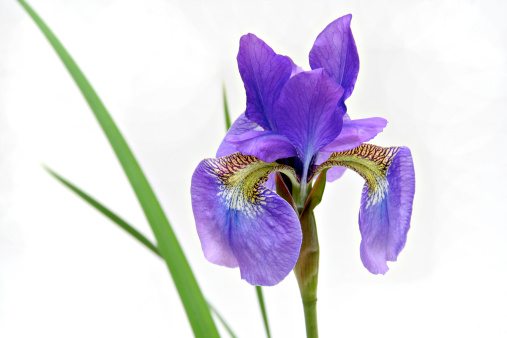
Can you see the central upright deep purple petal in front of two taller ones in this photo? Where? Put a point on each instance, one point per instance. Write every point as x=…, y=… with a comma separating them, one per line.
x=306, y=112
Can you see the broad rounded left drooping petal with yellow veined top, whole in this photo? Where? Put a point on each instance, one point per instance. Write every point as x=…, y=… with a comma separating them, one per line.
x=242, y=223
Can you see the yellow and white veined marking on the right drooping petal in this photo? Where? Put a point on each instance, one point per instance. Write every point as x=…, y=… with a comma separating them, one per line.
x=371, y=162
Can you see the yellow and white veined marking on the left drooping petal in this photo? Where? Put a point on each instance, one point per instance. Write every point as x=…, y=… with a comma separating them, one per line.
x=240, y=179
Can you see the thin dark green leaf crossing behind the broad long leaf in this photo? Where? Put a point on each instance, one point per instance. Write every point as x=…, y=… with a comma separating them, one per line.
x=129, y=229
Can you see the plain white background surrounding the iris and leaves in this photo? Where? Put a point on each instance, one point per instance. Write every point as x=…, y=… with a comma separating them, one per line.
x=437, y=71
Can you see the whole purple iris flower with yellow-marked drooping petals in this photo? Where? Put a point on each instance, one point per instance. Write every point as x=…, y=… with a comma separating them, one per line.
x=295, y=125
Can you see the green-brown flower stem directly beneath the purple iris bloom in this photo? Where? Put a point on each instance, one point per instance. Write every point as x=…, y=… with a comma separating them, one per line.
x=307, y=270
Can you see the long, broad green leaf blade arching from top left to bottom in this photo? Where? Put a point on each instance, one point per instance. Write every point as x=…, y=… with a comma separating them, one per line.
x=191, y=296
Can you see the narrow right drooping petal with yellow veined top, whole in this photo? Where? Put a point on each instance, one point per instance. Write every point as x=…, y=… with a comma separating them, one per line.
x=386, y=203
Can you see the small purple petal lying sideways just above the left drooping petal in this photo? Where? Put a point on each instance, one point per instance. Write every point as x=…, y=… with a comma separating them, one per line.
x=266, y=145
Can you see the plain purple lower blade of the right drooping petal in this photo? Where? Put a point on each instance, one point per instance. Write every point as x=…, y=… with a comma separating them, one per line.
x=385, y=220
